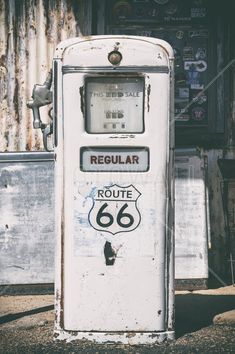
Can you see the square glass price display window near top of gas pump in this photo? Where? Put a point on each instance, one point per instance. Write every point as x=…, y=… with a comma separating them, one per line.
x=114, y=105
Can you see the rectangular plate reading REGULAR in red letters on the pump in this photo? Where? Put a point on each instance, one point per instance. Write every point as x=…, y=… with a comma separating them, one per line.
x=114, y=159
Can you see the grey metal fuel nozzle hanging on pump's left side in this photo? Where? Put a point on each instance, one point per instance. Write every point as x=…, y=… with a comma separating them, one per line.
x=41, y=96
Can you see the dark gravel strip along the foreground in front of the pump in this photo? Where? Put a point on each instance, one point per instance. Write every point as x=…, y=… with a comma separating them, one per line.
x=212, y=339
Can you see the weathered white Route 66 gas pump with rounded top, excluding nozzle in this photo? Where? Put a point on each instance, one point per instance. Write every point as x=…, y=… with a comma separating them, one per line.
x=113, y=133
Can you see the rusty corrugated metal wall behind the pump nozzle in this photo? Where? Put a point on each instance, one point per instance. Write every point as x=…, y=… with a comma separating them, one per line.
x=29, y=33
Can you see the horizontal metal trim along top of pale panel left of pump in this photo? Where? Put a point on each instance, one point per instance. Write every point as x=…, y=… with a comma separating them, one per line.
x=26, y=156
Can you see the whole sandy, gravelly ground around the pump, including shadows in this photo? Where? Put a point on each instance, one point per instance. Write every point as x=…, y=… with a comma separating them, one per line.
x=205, y=323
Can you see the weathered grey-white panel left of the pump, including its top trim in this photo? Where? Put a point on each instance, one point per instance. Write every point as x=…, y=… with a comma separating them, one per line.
x=27, y=239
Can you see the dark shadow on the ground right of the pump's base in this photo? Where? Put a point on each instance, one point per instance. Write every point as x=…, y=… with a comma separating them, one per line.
x=194, y=311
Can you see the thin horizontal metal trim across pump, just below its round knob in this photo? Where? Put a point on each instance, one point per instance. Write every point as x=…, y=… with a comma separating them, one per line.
x=126, y=69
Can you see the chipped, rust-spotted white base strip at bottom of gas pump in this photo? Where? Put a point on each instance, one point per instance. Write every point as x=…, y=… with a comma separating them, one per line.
x=130, y=338
